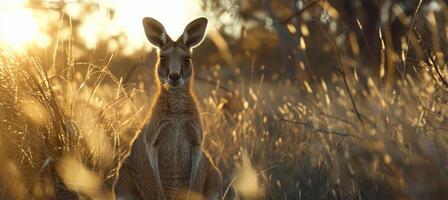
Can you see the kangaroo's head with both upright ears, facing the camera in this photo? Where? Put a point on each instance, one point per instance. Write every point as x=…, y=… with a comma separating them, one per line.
x=174, y=67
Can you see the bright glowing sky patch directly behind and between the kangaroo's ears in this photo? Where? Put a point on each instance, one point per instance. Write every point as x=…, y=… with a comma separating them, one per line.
x=127, y=18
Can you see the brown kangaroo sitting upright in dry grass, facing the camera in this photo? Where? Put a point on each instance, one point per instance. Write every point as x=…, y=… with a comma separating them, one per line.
x=166, y=160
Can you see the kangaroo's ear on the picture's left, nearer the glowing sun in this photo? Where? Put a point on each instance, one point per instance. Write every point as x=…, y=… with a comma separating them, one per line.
x=155, y=32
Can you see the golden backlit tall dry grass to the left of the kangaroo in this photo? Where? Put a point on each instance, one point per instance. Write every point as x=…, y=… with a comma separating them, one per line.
x=62, y=135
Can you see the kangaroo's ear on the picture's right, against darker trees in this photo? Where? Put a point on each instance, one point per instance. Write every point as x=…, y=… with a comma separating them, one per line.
x=194, y=32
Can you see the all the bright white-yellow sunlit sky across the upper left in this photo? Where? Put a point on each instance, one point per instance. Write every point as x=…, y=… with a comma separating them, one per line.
x=22, y=26
